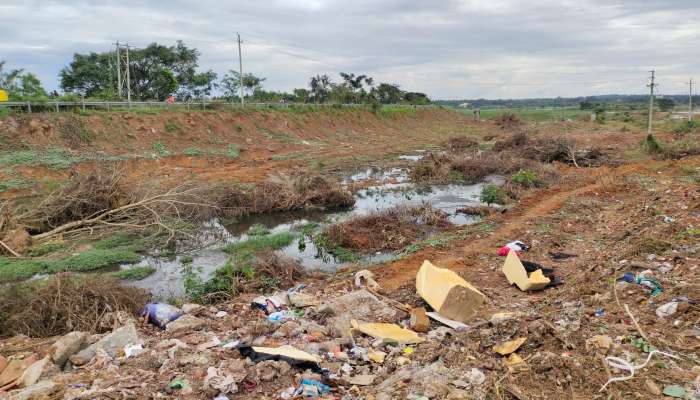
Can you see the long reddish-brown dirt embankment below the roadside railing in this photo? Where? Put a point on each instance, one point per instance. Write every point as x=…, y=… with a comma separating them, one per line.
x=241, y=146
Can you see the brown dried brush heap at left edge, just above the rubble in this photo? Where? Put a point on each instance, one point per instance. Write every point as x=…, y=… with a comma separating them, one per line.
x=64, y=303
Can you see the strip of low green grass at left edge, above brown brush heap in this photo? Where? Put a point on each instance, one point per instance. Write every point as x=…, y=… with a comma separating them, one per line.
x=107, y=252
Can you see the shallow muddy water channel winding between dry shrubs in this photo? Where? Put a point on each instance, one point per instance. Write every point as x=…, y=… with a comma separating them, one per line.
x=391, y=189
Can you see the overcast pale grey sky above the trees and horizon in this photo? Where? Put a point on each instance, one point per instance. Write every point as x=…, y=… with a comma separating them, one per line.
x=448, y=49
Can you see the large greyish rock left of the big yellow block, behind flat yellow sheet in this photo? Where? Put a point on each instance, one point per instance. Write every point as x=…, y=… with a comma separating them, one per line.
x=360, y=305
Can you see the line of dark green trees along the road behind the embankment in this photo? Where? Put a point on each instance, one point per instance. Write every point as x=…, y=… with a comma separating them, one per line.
x=158, y=72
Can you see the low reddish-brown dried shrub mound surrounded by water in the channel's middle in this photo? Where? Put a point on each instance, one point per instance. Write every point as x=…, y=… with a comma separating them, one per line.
x=392, y=229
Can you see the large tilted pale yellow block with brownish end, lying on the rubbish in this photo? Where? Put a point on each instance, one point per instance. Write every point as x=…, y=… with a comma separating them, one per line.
x=447, y=293
